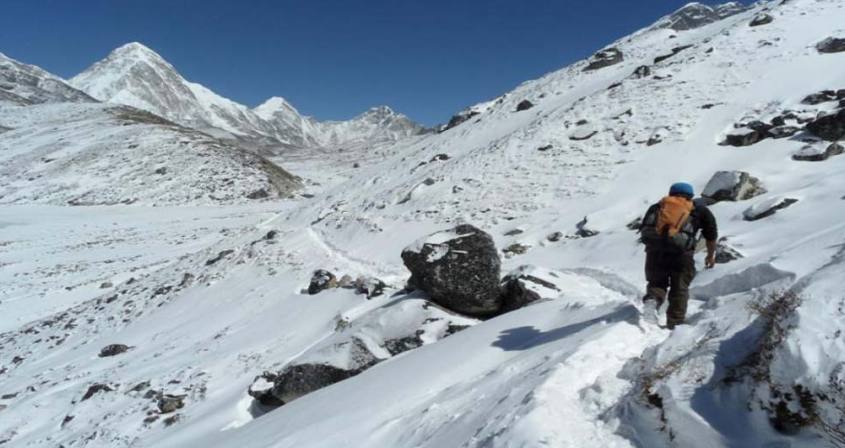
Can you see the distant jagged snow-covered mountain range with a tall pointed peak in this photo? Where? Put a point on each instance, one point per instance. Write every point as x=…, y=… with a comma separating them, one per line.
x=137, y=76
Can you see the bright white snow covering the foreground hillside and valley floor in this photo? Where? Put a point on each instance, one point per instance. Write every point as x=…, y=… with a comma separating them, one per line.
x=576, y=369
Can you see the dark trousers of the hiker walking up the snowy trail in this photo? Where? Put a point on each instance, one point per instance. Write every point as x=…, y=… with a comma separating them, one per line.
x=672, y=272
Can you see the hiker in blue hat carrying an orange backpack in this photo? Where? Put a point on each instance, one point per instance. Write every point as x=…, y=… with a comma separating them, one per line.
x=669, y=231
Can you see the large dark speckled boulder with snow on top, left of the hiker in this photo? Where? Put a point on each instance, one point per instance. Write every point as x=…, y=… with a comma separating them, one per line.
x=458, y=268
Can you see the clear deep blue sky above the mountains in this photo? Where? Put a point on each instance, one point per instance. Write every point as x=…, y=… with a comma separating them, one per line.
x=332, y=58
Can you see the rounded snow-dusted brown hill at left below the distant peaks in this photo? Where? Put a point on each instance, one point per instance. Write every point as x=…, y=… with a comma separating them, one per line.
x=84, y=154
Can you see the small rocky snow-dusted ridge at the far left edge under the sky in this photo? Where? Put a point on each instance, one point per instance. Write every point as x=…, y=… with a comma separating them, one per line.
x=27, y=84
